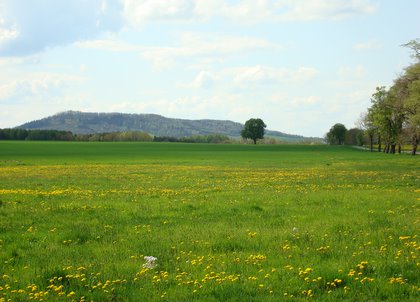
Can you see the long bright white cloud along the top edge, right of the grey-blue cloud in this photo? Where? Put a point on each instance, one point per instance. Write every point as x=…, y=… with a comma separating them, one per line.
x=247, y=11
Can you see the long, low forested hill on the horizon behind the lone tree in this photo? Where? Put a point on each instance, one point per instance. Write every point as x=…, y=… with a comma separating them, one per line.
x=157, y=125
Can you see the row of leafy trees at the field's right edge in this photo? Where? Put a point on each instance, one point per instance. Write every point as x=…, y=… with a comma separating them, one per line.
x=393, y=119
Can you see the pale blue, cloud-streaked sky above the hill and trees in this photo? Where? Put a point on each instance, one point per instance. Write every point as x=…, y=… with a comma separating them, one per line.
x=300, y=65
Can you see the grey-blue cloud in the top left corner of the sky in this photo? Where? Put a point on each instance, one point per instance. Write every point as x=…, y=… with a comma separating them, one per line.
x=31, y=26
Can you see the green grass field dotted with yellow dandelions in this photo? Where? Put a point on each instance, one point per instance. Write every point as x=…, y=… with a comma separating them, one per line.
x=225, y=222
